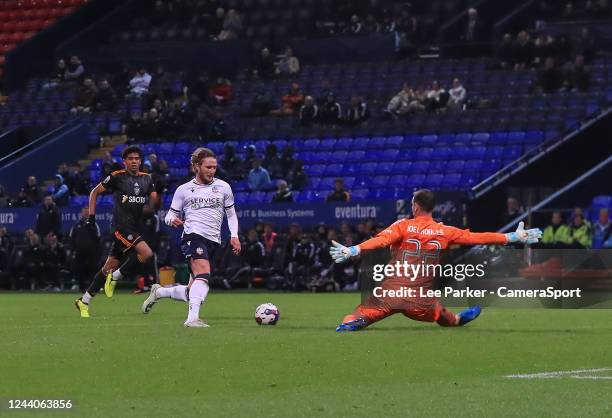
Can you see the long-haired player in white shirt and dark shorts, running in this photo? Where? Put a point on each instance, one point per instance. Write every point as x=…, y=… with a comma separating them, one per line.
x=203, y=201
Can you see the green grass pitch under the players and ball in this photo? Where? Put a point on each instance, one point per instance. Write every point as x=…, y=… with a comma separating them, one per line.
x=123, y=363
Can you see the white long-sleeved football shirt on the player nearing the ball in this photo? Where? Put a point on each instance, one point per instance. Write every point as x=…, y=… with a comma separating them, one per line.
x=203, y=206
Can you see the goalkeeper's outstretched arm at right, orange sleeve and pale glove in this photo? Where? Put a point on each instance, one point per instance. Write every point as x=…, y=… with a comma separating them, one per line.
x=466, y=237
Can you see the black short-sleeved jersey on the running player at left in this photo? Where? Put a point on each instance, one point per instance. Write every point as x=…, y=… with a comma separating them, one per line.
x=130, y=194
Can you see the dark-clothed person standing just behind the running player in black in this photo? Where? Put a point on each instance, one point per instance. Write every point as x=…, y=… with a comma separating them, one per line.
x=85, y=241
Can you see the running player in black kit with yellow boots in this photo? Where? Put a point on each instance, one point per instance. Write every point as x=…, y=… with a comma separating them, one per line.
x=131, y=189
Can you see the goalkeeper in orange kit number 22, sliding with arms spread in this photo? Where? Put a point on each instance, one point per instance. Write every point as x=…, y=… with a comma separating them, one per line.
x=415, y=241
